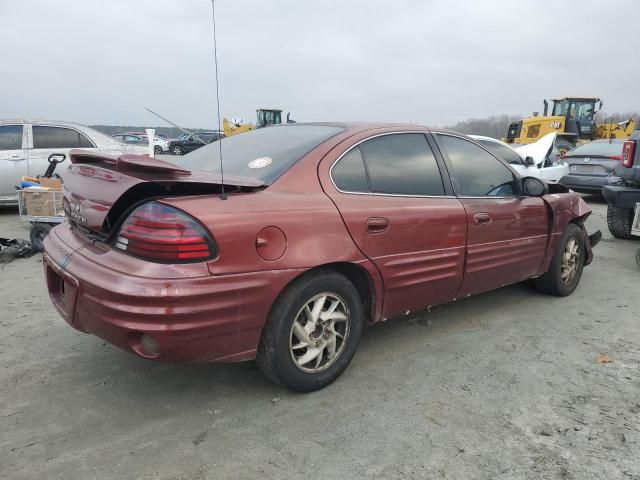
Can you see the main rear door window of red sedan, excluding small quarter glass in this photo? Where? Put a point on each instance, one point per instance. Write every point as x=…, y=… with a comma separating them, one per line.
x=402, y=164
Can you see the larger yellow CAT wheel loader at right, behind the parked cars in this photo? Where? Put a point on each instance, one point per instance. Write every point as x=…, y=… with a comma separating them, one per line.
x=573, y=119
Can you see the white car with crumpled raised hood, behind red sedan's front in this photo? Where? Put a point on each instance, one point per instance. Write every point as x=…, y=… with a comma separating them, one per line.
x=531, y=160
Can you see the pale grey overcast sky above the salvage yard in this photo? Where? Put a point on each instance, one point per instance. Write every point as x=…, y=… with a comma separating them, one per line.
x=431, y=62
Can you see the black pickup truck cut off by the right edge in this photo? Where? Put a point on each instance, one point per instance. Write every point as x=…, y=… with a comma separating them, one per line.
x=622, y=197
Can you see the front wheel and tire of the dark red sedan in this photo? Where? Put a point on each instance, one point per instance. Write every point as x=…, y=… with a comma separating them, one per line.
x=566, y=266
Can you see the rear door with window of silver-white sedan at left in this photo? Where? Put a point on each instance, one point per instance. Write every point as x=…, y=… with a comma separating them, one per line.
x=49, y=139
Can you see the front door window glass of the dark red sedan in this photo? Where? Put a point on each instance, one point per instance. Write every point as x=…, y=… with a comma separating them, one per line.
x=475, y=172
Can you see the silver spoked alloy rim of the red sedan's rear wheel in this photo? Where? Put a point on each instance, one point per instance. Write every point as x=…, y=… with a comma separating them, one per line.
x=319, y=333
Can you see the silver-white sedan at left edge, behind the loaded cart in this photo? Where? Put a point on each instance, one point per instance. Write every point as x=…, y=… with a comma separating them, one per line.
x=25, y=147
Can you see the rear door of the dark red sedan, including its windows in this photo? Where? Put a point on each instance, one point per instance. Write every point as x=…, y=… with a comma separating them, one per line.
x=402, y=215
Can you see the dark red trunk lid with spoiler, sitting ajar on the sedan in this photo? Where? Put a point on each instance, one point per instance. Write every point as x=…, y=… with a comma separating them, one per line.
x=98, y=189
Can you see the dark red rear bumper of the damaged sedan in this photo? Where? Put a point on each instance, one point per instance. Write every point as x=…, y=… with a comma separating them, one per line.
x=192, y=318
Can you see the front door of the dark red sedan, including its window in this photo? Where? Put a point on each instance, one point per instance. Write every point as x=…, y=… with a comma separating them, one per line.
x=507, y=231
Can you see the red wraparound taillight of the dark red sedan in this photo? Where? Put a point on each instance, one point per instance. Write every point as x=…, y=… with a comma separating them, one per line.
x=161, y=233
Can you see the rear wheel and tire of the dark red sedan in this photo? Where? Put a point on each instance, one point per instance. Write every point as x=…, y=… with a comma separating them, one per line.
x=312, y=332
